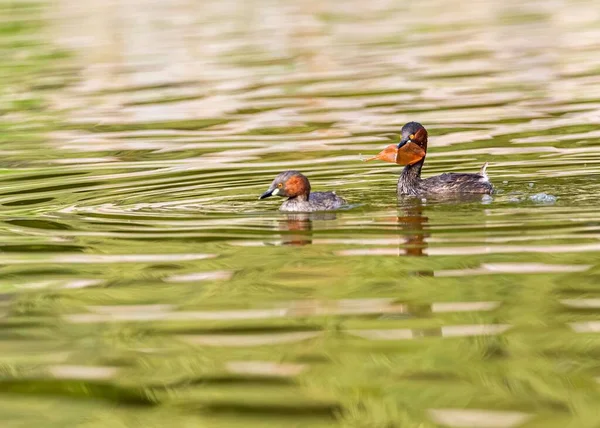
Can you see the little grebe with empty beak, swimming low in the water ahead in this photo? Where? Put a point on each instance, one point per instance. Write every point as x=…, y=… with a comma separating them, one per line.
x=296, y=188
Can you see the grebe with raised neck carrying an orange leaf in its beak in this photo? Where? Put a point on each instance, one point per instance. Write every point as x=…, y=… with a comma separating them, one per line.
x=411, y=151
